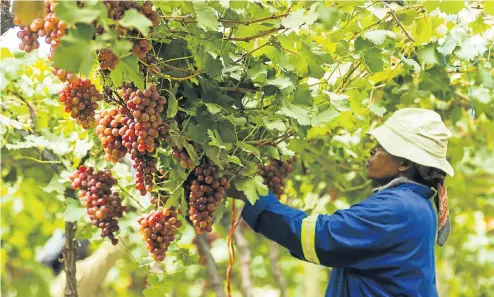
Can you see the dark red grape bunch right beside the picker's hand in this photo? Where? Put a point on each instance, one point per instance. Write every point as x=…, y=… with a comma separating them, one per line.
x=206, y=190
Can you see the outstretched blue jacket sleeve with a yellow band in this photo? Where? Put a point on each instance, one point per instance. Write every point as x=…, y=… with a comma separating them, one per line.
x=343, y=239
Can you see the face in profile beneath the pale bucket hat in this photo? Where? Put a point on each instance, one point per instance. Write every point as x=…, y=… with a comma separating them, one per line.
x=382, y=166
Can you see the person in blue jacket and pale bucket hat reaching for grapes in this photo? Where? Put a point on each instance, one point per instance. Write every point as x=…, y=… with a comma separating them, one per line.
x=384, y=245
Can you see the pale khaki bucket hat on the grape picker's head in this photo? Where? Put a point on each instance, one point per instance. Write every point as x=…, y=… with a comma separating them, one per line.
x=418, y=135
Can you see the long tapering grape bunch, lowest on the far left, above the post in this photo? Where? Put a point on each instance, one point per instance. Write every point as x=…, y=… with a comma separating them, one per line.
x=103, y=206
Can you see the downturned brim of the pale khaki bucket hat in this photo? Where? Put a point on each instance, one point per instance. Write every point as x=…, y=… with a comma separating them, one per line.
x=398, y=146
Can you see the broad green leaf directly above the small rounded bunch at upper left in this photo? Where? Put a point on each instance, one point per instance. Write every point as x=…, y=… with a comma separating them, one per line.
x=75, y=52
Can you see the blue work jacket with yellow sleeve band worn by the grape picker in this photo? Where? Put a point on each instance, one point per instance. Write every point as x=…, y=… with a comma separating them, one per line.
x=382, y=246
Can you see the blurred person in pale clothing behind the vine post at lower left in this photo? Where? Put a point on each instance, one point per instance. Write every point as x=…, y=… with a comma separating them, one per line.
x=91, y=270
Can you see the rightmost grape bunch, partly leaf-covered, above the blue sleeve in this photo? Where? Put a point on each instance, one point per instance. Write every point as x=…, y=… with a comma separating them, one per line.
x=274, y=174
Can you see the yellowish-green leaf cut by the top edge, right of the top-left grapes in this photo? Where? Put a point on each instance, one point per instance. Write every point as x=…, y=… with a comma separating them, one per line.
x=71, y=13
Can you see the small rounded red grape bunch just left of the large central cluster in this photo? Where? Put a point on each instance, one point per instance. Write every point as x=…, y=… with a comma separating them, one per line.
x=80, y=98
